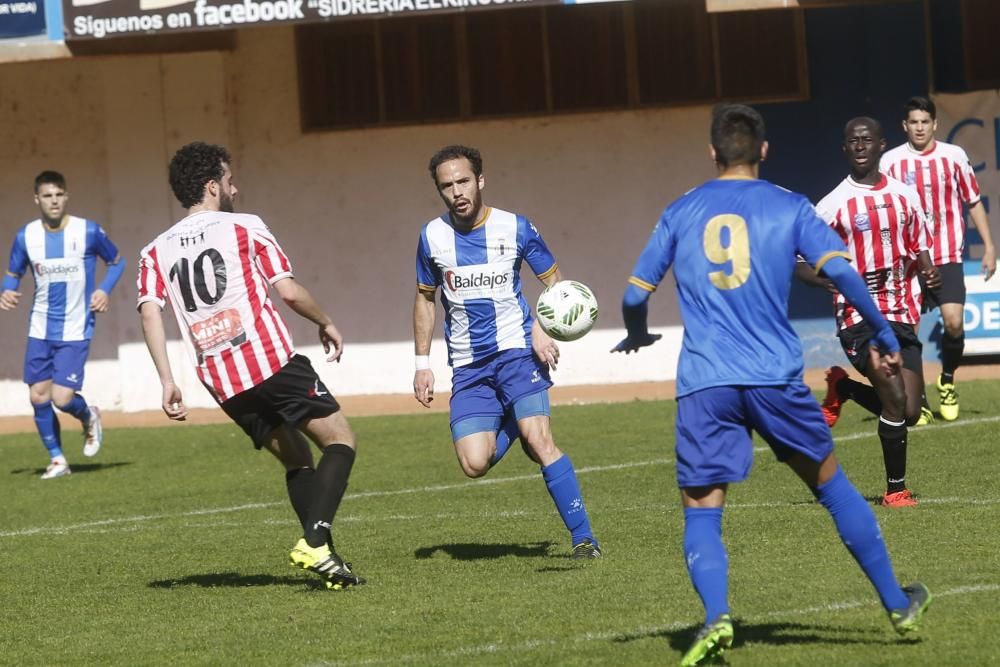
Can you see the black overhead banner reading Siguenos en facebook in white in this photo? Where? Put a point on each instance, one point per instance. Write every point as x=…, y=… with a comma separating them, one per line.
x=99, y=19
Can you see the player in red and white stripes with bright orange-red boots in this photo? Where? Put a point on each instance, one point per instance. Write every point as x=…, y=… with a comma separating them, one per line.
x=885, y=229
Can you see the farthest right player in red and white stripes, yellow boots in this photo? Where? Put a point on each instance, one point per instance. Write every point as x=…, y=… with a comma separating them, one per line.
x=944, y=179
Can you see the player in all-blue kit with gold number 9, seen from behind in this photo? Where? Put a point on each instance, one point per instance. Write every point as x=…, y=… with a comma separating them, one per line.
x=733, y=244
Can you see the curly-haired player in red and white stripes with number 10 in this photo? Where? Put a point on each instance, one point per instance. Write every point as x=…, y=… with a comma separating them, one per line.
x=215, y=268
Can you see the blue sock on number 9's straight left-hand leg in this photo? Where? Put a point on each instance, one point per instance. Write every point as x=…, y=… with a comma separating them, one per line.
x=705, y=555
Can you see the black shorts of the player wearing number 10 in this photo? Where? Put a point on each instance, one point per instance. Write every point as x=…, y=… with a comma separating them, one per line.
x=290, y=396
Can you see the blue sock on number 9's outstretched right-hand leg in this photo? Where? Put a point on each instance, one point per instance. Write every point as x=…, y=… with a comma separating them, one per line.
x=860, y=533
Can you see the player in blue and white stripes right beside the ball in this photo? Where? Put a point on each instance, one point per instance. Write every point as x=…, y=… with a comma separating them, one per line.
x=499, y=353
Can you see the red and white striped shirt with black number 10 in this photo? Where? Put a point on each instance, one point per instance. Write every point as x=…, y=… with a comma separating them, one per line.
x=215, y=269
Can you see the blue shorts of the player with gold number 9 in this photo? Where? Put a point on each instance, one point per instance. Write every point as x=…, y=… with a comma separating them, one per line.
x=714, y=425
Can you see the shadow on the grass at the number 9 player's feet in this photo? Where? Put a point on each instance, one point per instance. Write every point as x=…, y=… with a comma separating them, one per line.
x=776, y=634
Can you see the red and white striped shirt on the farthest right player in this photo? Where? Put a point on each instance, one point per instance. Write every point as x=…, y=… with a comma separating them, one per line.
x=943, y=178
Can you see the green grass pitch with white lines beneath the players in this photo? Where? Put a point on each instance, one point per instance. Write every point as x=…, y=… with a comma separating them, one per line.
x=171, y=548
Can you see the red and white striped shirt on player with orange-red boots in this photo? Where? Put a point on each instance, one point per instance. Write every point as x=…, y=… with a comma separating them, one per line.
x=885, y=229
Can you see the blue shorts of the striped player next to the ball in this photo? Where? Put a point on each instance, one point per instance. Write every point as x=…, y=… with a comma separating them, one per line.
x=484, y=390
